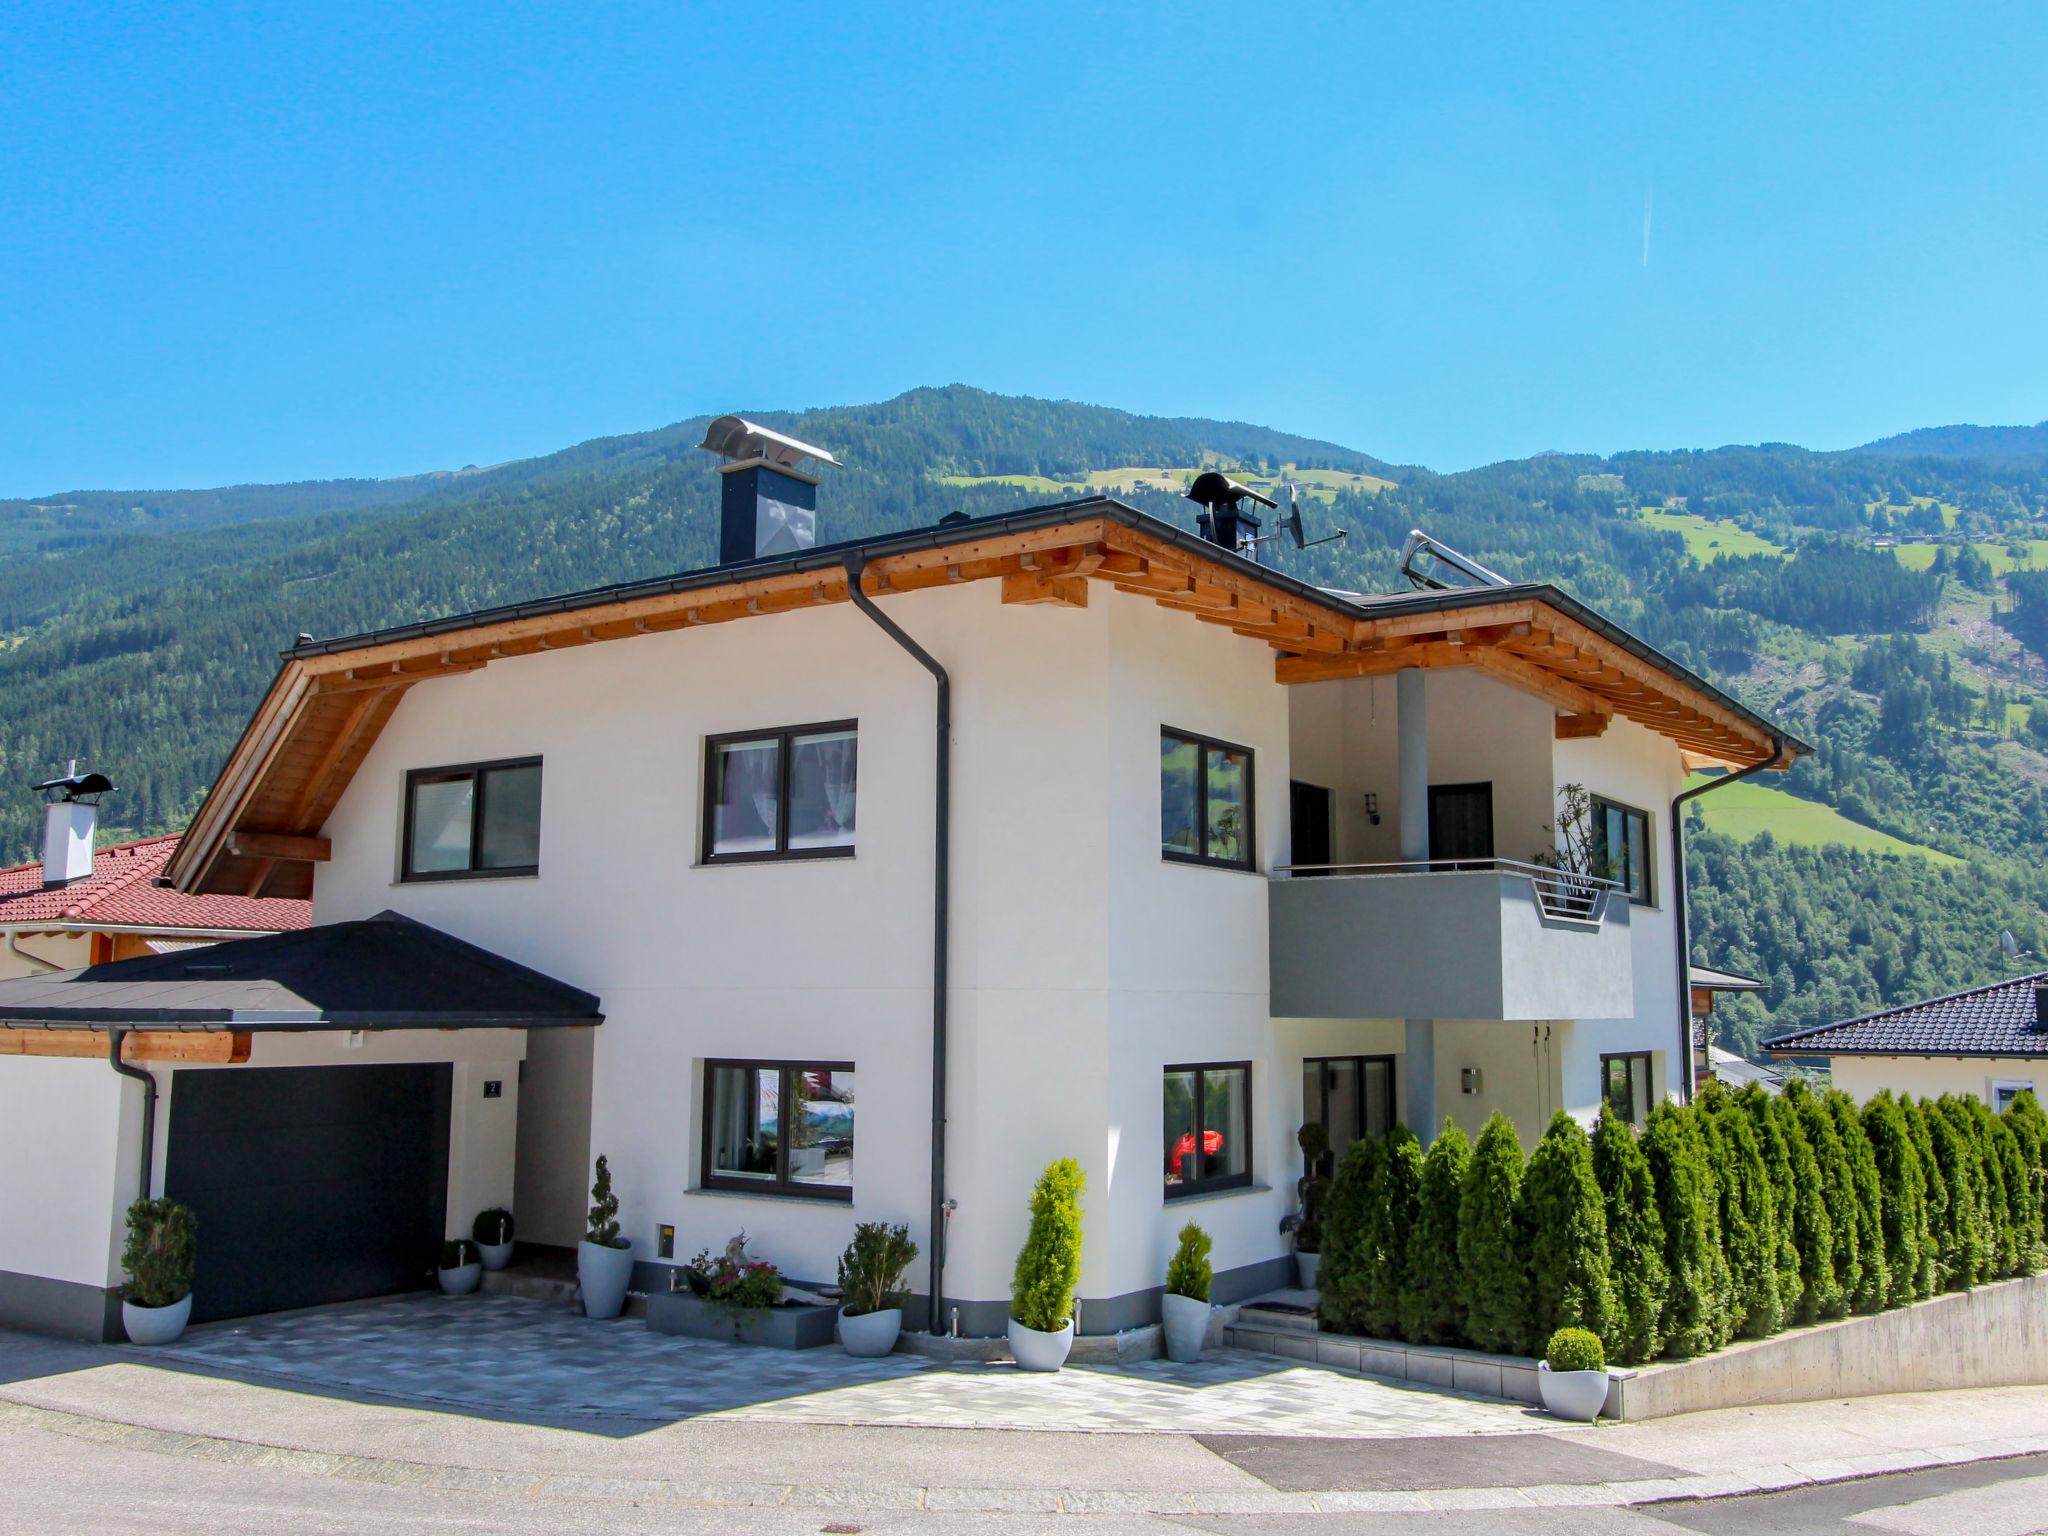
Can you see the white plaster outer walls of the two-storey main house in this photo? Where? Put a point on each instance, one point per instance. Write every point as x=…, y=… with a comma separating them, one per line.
x=1082, y=964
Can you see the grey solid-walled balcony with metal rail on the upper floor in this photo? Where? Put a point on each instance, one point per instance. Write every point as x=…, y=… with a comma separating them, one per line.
x=1469, y=939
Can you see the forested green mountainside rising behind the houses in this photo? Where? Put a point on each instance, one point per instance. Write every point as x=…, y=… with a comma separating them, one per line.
x=1891, y=607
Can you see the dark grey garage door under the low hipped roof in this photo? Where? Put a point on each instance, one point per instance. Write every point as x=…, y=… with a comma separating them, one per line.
x=310, y=1185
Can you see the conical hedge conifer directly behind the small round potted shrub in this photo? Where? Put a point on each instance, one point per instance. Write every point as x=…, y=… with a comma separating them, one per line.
x=1566, y=1222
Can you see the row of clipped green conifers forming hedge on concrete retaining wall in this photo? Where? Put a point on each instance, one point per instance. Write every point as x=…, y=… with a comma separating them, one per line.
x=1738, y=1215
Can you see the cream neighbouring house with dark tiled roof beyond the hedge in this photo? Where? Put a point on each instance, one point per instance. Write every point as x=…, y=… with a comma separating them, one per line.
x=1990, y=1043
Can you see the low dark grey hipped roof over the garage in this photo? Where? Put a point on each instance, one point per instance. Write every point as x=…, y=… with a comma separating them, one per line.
x=378, y=974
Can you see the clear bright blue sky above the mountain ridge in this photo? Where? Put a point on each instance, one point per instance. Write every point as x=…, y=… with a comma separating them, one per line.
x=259, y=245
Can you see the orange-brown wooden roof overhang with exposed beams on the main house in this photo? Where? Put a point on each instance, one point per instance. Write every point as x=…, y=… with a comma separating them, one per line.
x=257, y=833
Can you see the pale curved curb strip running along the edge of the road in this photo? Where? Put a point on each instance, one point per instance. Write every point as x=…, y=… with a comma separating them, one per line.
x=955, y=1500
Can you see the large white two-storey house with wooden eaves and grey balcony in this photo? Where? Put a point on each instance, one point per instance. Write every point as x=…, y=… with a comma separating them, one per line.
x=1156, y=849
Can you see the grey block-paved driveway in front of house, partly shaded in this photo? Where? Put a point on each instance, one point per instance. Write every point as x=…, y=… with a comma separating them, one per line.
x=540, y=1363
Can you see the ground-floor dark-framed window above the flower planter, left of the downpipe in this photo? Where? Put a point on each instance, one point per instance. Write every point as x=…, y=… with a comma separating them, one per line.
x=781, y=1127
